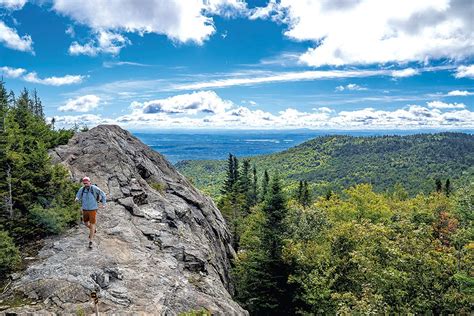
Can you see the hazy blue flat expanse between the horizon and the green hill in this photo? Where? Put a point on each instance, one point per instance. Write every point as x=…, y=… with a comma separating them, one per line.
x=198, y=145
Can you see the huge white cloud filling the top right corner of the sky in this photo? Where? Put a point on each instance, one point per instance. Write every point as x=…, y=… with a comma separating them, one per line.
x=374, y=31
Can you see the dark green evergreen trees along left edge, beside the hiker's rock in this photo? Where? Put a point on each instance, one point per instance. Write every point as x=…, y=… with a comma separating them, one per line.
x=36, y=197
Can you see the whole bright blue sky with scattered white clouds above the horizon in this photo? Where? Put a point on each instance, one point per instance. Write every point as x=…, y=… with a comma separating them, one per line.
x=235, y=64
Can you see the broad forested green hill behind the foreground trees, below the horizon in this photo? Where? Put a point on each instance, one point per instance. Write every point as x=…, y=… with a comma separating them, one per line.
x=336, y=162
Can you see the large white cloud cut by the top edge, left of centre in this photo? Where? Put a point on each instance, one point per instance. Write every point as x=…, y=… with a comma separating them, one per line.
x=181, y=21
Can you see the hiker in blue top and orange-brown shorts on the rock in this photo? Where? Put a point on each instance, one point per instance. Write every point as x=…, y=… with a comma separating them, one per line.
x=89, y=196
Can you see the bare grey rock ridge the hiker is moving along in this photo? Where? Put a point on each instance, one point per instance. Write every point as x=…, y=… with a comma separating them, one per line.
x=161, y=246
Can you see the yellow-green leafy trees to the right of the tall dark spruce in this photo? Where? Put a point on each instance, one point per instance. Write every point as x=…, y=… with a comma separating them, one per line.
x=366, y=252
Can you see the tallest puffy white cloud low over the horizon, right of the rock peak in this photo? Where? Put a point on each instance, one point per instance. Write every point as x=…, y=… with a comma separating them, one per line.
x=191, y=103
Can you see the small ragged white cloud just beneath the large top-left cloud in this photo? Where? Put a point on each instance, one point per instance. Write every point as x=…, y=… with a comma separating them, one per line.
x=105, y=43
